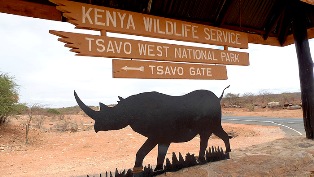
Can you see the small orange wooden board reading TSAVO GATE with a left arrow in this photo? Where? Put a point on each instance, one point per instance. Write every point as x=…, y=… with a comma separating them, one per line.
x=166, y=70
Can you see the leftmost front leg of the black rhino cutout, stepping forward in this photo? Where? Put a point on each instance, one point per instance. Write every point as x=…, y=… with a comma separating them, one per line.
x=143, y=151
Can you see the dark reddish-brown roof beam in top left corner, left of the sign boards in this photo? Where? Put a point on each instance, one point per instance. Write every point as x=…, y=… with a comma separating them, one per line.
x=30, y=9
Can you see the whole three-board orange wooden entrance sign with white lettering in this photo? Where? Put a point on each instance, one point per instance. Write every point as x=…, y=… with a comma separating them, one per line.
x=105, y=19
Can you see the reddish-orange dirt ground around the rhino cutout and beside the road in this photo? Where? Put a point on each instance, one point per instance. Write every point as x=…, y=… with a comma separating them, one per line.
x=57, y=150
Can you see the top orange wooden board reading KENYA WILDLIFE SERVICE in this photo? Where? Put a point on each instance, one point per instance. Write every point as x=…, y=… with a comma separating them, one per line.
x=113, y=20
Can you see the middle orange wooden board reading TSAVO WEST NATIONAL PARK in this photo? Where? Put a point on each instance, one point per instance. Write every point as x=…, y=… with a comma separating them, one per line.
x=102, y=46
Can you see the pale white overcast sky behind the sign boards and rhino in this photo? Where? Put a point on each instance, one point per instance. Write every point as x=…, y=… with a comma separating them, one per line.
x=47, y=72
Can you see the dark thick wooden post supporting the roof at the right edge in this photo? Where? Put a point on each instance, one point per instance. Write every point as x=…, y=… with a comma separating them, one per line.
x=305, y=68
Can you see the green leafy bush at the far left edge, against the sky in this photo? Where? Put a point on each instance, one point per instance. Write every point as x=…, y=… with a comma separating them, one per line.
x=8, y=97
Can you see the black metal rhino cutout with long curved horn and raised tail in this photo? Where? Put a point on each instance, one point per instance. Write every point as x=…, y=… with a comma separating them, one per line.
x=163, y=119
